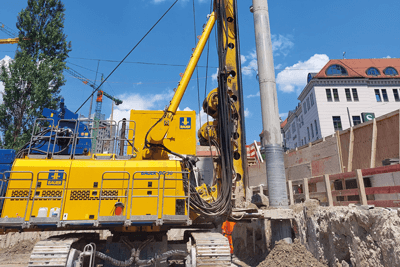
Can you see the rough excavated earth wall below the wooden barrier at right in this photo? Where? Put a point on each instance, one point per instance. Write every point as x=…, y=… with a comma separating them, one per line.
x=350, y=236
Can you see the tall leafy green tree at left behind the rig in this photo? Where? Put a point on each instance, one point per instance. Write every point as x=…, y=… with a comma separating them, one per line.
x=34, y=78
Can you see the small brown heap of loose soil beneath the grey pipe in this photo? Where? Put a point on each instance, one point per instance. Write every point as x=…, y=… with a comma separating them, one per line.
x=290, y=255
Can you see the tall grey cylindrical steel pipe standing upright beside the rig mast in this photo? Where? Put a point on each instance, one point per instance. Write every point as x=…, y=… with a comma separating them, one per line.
x=272, y=139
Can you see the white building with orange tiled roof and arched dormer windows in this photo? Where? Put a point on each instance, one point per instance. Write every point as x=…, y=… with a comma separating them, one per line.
x=343, y=94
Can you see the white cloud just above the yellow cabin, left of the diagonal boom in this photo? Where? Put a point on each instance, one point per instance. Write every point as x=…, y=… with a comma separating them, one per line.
x=140, y=102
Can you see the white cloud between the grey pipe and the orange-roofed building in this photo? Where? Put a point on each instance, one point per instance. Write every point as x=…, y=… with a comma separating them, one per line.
x=294, y=78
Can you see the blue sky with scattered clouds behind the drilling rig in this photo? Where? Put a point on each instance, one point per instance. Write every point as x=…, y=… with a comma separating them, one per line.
x=306, y=34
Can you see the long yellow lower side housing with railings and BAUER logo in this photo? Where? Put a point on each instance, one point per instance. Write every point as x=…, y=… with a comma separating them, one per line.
x=74, y=187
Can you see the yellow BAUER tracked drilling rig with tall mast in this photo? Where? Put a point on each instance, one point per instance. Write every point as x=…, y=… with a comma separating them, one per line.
x=148, y=186
